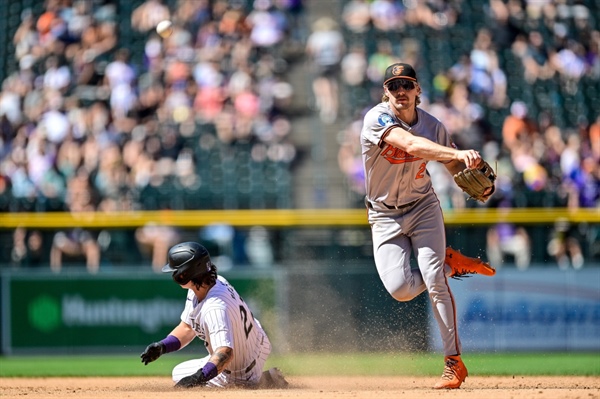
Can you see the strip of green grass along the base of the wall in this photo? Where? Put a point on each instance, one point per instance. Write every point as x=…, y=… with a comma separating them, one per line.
x=587, y=364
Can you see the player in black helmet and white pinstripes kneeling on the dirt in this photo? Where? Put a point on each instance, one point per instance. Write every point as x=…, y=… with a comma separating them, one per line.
x=214, y=312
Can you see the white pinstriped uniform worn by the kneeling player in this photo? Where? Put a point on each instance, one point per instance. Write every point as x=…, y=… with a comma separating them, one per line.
x=224, y=319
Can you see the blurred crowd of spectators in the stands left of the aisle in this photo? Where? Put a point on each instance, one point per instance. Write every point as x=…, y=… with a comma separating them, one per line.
x=95, y=121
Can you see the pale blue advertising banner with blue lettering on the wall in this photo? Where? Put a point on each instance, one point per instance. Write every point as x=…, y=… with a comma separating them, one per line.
x=536, y=309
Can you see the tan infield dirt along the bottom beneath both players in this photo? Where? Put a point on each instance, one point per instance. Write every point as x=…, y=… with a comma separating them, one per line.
x=521, y=387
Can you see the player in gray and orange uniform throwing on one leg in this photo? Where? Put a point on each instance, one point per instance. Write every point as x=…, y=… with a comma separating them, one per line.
x=398, y=139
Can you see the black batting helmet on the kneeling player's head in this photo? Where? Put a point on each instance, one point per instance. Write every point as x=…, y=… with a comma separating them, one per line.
x=187, y=260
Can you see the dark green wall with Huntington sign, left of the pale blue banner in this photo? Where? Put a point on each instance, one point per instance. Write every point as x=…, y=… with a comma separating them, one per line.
x=332, y=309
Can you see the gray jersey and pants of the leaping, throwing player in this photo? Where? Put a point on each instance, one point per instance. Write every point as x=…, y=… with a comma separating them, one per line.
x=405, y=216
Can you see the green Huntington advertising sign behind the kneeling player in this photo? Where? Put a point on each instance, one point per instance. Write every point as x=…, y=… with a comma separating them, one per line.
x=70, y=314
